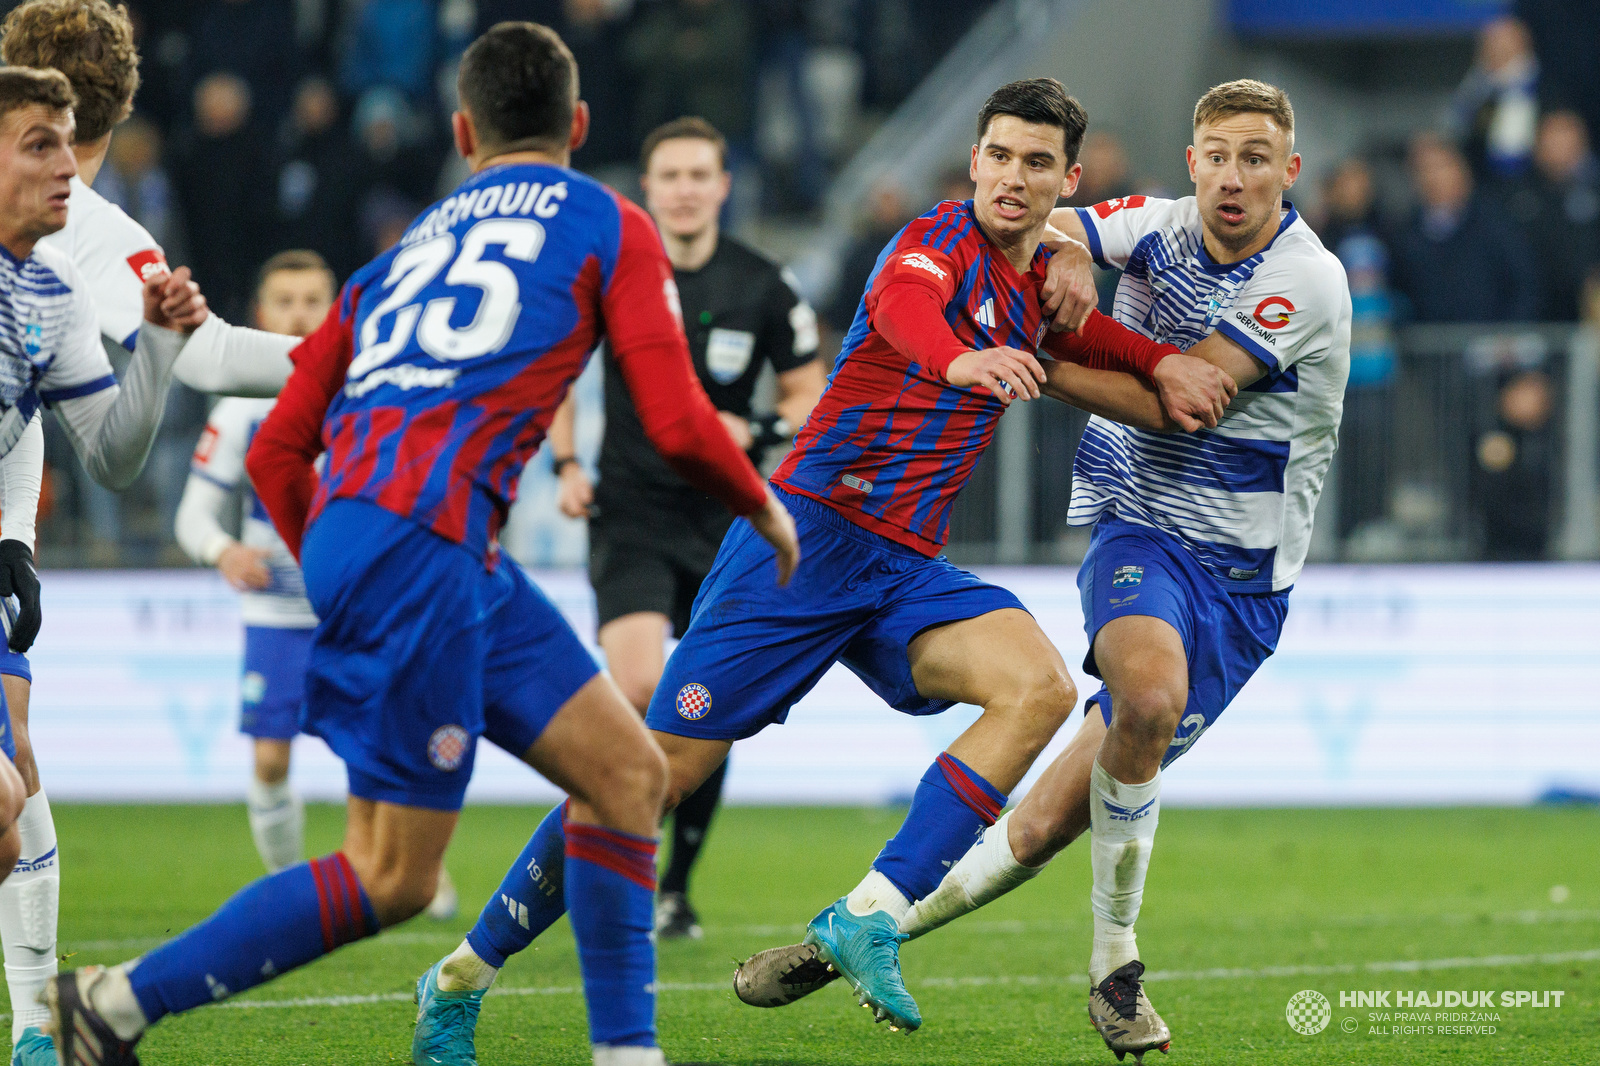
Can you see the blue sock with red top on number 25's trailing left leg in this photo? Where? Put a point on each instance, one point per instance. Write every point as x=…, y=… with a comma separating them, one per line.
x=270, y=928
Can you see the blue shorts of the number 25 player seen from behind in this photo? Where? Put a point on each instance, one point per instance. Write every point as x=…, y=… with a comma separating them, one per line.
x=422, y=651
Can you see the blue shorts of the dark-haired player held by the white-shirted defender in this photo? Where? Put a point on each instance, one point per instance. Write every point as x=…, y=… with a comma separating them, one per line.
x=753, y=651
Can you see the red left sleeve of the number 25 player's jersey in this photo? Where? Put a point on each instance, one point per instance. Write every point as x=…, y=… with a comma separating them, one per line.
x=282, y=457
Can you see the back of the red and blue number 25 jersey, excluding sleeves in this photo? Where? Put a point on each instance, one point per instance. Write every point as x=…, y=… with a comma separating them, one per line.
x=466, y=337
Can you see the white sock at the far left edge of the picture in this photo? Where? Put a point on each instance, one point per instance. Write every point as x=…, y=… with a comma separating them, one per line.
x=30, y=904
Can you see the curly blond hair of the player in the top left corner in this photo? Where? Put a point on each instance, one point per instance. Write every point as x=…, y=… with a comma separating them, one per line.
x=92, y=44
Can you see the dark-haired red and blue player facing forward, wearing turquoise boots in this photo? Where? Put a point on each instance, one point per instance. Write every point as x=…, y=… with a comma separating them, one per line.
x=914, y=398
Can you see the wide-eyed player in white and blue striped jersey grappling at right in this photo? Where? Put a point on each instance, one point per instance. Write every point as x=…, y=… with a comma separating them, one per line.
x=1198, y=537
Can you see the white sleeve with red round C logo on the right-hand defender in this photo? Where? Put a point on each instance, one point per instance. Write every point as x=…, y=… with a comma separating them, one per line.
x=1290, y=310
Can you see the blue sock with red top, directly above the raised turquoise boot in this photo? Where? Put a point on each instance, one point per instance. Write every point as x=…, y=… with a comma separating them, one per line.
x=948, y=812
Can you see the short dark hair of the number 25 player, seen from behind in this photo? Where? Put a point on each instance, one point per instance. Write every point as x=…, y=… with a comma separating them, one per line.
x=519, y=82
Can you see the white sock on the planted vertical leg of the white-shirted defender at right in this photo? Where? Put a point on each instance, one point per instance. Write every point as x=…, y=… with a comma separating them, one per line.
x=1122, y=827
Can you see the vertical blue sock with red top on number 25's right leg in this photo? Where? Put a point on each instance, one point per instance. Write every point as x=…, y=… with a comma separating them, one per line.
x=612, y=896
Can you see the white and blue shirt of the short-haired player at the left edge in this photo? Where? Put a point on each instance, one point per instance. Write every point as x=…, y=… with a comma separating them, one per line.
x=50, y=347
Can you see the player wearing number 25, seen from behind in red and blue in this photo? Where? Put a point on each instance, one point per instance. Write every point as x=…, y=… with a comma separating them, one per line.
x=431, y=383
